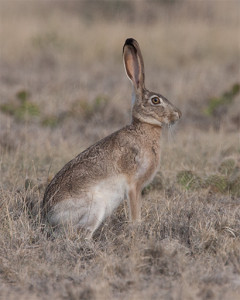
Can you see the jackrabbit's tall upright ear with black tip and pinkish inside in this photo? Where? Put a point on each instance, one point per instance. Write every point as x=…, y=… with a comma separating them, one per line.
x=133, y=63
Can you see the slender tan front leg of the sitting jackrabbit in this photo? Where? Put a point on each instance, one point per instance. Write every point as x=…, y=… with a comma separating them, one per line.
x=135, y=203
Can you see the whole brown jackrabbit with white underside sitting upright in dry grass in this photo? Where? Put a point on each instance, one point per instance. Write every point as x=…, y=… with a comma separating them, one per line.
x=92, y=185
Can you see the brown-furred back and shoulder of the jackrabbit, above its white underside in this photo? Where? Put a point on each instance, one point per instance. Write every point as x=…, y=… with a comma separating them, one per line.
x=121, y=153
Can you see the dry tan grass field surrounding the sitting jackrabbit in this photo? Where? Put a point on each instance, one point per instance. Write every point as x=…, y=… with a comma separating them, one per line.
x=67, y=56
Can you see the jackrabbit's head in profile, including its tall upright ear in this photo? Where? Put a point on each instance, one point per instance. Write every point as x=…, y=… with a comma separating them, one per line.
x=148, y=107
